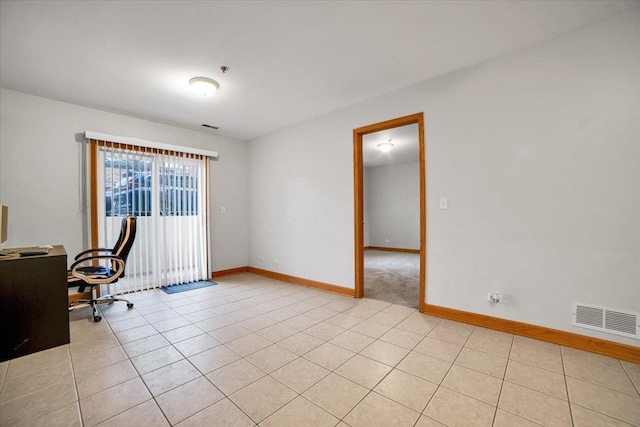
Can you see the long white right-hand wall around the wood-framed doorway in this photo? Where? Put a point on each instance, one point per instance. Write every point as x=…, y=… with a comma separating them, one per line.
x=539, y=155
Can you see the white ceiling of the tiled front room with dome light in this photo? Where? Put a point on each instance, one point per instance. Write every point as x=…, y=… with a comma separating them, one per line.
x=288, y=61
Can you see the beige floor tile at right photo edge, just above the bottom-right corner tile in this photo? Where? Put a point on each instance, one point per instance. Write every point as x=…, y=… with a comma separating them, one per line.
x=604, y=400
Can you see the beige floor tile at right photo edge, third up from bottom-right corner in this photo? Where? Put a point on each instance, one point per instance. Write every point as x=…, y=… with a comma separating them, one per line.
x=584, y=369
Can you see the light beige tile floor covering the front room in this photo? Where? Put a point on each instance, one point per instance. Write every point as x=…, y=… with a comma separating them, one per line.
x=254, y=351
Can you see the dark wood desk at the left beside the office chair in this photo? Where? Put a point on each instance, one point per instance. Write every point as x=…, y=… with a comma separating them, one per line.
x=33, y=302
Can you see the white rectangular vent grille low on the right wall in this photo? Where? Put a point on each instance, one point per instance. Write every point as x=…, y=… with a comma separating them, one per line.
x=605, y=319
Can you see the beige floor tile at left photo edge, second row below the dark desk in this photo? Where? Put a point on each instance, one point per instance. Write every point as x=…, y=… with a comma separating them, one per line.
x=18, y=386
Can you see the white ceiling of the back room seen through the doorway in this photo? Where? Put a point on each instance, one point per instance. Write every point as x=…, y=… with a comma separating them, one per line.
x=405, y=146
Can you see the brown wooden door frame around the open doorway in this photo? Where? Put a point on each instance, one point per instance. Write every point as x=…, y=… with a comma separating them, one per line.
x=359, y=198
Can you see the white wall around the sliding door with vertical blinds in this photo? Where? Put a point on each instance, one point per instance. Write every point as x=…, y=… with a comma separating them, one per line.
x=41, y=181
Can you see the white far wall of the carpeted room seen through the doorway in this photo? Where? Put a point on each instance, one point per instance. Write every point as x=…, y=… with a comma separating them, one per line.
x=392, y=206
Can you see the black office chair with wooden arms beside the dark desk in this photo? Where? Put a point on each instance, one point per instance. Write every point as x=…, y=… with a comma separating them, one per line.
x=84, y=274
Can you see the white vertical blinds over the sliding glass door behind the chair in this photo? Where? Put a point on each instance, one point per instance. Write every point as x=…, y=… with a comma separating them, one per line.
x=167, y=192
